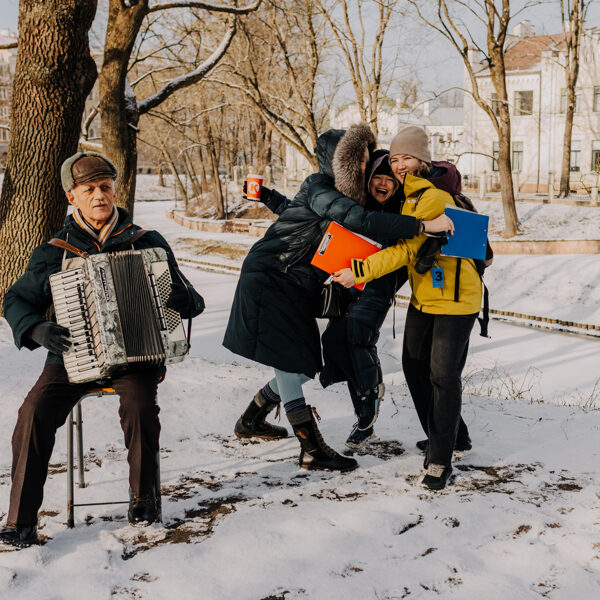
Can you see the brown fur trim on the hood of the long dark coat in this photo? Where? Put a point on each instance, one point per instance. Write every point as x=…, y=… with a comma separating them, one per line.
x=349, y=152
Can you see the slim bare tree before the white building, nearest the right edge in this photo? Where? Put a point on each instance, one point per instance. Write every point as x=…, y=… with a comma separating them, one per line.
x=573, y=14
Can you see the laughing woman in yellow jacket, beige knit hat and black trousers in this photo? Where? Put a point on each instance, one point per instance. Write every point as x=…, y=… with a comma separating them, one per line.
x=444, y=304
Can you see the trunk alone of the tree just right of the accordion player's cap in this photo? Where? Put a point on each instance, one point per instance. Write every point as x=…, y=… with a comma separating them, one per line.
x=119, y=114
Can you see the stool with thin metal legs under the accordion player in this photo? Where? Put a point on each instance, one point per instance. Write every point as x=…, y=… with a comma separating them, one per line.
x=75, y=418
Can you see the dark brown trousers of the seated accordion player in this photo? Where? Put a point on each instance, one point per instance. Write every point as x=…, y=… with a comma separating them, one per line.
x=47, y=407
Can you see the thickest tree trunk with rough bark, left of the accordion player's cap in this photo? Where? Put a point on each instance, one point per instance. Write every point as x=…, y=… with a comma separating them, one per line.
x=53, y=76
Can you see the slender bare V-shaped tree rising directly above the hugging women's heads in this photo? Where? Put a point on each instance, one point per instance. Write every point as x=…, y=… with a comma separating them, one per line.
x=364, y=60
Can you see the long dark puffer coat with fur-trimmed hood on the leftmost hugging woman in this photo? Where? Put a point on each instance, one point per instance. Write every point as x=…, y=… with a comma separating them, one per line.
x=272, y=317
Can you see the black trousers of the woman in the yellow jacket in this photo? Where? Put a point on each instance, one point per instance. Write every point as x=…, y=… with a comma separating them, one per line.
x=434, y=353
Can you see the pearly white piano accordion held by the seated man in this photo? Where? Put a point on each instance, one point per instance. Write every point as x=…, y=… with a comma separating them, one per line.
x=114, y=306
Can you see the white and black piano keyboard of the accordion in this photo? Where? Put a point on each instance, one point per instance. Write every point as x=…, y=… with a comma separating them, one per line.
x=75, y=309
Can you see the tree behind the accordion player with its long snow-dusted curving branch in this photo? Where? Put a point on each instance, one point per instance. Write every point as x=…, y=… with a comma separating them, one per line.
x=120, y=109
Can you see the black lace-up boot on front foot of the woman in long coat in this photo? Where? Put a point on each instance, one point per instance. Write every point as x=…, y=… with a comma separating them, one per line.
x=315, y=453
